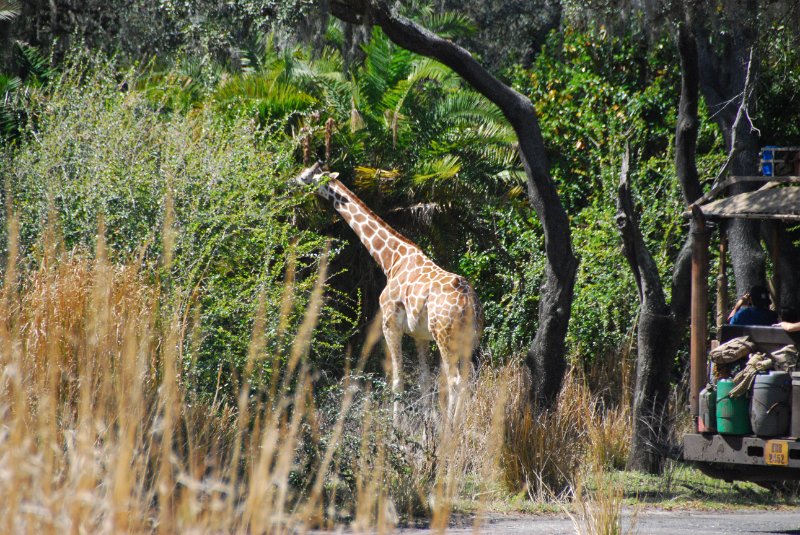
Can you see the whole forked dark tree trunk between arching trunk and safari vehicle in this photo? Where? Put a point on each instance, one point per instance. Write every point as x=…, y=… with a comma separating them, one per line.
x=661, y=327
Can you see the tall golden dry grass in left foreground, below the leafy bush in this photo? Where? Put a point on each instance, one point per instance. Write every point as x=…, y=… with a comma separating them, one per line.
x=102, y=434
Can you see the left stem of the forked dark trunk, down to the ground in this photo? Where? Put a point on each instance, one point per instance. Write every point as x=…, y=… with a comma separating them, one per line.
x=656, y=340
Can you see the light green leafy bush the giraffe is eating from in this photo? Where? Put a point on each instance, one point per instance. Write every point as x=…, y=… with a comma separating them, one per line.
x=97, y=150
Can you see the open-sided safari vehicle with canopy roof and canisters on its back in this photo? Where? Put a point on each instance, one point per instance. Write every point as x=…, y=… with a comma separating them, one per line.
x=740, y=456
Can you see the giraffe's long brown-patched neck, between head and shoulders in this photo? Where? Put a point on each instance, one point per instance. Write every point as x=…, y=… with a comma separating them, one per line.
x=387, y=246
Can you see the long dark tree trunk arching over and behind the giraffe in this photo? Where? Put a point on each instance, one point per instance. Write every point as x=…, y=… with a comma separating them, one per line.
x=545, y=357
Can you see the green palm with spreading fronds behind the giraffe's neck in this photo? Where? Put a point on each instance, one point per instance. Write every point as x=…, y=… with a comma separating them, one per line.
x=424, y=151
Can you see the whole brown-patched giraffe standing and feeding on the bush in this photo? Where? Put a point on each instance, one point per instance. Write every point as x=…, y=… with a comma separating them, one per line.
x=420, y=298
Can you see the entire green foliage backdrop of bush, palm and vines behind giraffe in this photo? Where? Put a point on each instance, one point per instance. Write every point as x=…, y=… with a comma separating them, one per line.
x=89, y=139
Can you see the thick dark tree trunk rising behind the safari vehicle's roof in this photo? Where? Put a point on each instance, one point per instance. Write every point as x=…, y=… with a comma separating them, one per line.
x=723, y=70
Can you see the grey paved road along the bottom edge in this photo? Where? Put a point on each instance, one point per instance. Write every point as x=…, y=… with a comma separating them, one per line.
x=649, y=523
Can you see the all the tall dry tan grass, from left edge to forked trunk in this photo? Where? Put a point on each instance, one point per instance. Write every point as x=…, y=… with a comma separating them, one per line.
x=103, y=433
